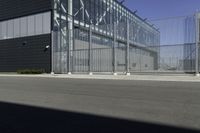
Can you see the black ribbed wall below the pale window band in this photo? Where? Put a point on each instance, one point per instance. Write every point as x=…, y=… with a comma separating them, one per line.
x=25, y=53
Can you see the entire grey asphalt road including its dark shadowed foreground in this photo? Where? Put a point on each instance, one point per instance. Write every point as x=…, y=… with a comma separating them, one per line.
x=151, y=105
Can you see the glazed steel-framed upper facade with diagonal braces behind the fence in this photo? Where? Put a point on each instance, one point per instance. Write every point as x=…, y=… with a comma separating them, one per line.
x=107, y=19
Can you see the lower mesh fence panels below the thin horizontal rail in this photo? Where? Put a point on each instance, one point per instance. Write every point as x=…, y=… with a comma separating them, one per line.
x=167, y=58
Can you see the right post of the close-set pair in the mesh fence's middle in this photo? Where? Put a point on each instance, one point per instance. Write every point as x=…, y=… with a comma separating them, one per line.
x=127, y=49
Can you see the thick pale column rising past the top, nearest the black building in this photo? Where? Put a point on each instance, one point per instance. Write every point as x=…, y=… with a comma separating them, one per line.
x=70, y=28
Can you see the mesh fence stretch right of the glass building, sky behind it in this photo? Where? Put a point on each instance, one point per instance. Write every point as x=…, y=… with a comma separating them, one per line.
x=179, y=38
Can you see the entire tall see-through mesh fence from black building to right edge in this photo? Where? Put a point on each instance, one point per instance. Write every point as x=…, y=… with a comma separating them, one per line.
x=123, y=43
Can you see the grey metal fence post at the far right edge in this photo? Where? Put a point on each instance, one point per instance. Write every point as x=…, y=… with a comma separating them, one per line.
x=197, y=44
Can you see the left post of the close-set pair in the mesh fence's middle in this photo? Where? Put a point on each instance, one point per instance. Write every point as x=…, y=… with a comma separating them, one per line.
x=114, y=48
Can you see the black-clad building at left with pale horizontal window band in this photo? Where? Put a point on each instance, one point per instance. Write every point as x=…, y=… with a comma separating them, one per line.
x=25, y=31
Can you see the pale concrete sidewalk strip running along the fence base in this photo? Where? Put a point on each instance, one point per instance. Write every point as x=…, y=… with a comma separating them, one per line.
x=164, y=77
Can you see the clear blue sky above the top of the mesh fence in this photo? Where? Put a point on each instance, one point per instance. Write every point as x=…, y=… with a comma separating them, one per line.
x=155, y=9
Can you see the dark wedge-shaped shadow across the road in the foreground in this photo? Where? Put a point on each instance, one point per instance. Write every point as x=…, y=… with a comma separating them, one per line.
x=26, y=119
